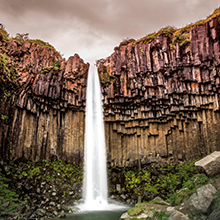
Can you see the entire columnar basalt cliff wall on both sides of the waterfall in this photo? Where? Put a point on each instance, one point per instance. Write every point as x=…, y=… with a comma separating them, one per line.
x=160, y=98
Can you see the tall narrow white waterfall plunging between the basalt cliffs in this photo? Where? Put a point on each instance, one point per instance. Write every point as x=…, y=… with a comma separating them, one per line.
x=95, y=190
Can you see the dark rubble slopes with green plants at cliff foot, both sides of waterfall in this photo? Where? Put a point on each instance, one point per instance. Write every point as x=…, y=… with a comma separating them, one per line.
x=49, y=189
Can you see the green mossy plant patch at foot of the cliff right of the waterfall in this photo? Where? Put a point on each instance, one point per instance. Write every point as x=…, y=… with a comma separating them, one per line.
x=169, y=179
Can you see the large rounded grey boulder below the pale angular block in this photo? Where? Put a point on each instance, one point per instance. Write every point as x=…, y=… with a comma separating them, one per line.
x=202, y=199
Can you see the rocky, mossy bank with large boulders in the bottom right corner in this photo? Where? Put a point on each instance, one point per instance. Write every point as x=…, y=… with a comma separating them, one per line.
x=198, y=199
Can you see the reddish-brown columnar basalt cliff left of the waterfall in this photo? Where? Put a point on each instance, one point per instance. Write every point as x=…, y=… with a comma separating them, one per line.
x=42, y=103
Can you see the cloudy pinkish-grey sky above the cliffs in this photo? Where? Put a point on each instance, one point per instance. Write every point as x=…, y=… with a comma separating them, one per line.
x=92, y=28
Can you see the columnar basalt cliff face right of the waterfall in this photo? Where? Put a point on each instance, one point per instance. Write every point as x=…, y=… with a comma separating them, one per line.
x=161, y=97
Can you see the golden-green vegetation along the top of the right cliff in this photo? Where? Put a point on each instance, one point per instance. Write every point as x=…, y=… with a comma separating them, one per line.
x=180, y=35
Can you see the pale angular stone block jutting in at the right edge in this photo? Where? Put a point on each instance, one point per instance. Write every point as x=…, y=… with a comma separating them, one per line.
x=210, y=164
